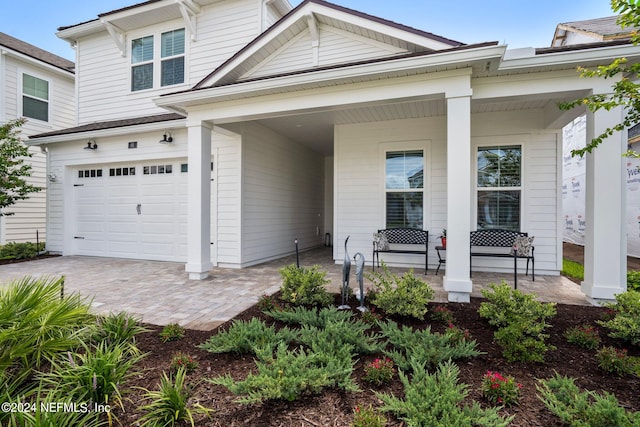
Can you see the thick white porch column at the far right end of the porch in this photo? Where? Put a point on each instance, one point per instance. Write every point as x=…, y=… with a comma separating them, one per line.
x=605, y=255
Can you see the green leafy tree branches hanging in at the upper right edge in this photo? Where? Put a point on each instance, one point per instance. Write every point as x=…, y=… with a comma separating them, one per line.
x=626, y=91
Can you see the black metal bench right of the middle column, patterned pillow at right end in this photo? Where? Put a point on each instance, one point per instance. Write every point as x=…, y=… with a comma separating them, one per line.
x=504, y=239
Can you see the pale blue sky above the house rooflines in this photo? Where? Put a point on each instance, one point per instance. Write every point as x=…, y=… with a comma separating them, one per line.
x=518, y=23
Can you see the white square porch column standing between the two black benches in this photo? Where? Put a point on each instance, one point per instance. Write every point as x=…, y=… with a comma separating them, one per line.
x=457, y=281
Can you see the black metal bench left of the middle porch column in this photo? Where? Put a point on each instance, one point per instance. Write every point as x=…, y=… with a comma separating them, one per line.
x=401, y=236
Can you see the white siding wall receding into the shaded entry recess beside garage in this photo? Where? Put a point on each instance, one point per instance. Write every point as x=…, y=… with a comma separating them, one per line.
x=282, y=195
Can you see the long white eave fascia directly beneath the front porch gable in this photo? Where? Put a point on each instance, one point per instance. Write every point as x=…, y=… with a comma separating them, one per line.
x=458, y=59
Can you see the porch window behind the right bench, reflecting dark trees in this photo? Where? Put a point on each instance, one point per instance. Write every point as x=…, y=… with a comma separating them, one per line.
x=499, y=187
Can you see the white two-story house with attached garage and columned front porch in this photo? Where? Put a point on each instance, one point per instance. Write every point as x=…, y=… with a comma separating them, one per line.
x=215, y=132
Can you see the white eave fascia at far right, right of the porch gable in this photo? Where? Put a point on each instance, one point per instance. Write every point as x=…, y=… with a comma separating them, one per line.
x=577, y=57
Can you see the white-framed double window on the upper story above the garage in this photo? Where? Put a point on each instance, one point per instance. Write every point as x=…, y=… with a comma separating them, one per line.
x=163, y=62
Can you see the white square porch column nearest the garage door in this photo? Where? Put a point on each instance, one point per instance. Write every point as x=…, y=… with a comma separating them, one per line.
x=199, y=201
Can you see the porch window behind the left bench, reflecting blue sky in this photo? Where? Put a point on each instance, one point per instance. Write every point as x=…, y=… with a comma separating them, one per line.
x=404, y=189
